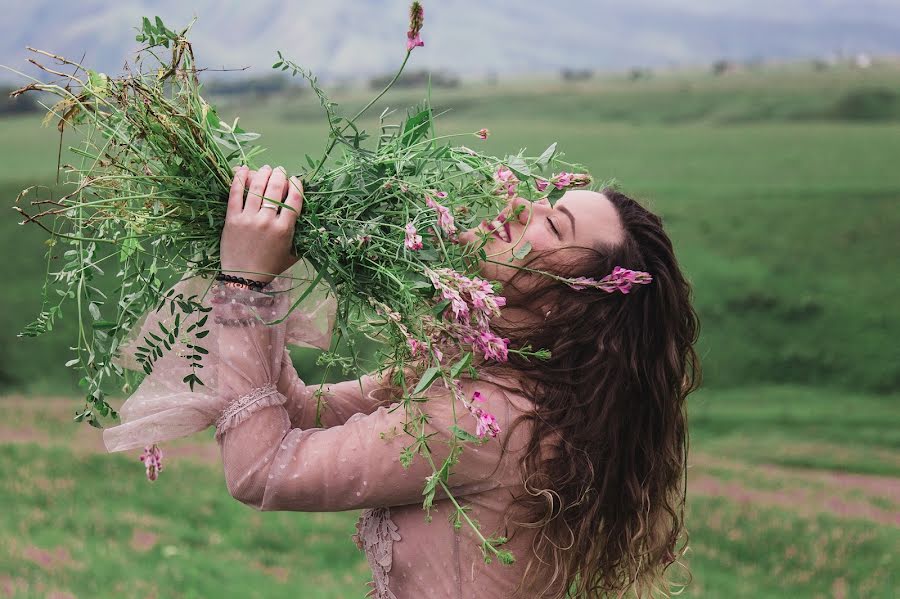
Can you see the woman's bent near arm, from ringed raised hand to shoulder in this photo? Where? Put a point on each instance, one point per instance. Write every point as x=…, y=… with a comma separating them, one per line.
x=269, y=464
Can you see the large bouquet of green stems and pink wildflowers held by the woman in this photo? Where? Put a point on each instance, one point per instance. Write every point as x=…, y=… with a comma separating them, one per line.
x=379, y=225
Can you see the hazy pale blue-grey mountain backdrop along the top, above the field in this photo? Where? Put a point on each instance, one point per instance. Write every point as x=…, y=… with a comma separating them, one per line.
x=352, y=38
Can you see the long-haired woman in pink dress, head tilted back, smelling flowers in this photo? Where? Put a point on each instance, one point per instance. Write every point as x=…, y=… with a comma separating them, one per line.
x=586, y=476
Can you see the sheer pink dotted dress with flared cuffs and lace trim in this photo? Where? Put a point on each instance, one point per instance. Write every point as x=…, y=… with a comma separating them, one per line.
x=276, y=458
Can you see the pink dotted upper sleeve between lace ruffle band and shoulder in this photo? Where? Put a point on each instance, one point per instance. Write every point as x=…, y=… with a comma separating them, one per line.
x=269, y=465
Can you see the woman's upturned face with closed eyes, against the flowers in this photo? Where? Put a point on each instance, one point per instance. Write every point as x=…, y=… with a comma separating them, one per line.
x=580, y=219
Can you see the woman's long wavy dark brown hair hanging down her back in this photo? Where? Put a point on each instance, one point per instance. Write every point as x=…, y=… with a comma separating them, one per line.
x=609, y=500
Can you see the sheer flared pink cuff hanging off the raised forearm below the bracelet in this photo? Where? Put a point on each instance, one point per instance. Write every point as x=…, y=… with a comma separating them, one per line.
x=238, y=353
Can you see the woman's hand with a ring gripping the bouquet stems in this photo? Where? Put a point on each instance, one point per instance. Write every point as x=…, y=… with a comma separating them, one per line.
x=257, y=239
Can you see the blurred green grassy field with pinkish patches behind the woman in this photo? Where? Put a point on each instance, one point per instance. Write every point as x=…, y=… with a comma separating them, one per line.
x=783, y=198
